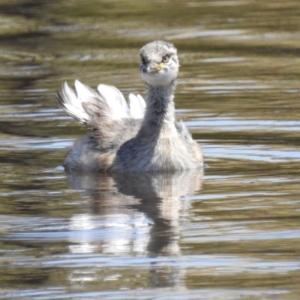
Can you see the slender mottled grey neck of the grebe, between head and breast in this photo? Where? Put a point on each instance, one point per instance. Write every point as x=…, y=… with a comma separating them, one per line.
x=160, y=109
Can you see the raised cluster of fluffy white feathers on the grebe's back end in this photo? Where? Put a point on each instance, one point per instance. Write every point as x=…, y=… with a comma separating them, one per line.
x=118, y=108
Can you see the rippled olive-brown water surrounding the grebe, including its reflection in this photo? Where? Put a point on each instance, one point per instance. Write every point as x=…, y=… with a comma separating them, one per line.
x=231, y=233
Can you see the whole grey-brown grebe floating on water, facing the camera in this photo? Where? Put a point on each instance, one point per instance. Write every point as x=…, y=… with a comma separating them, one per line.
x=140, y=137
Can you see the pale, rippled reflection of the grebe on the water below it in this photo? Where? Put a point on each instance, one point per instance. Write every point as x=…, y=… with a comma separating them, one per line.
x=138, y=214
